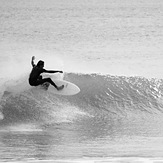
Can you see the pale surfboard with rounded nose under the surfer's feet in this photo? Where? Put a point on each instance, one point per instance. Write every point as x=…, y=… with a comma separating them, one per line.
x=69, y=88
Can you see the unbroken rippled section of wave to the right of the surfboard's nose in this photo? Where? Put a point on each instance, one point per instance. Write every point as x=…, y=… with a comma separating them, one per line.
x=119, y=94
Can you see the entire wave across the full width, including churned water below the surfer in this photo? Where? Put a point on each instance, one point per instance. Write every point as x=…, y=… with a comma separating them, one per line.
x=101, y=95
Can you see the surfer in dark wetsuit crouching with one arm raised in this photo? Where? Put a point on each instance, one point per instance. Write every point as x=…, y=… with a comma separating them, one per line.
x=35, y=77
